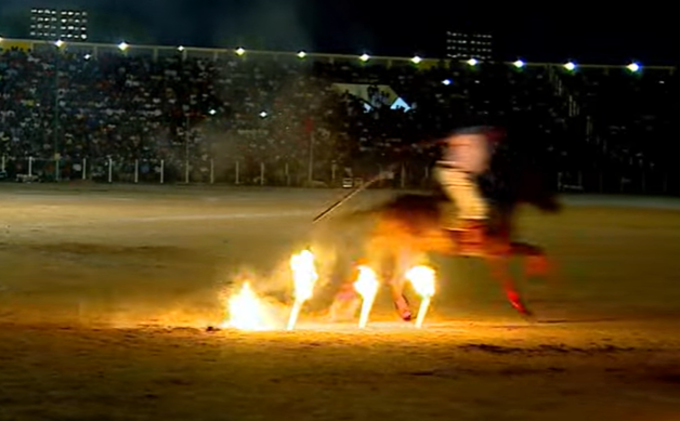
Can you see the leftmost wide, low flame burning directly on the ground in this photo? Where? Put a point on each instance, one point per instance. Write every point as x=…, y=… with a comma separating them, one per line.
x=247, y=312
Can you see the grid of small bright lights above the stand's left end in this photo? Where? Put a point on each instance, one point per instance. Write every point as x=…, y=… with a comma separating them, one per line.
x=53, y=24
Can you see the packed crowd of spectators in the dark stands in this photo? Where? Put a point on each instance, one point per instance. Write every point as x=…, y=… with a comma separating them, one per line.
x=73, y=114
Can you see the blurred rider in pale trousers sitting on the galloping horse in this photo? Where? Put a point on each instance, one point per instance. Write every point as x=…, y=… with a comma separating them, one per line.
x=466, y=155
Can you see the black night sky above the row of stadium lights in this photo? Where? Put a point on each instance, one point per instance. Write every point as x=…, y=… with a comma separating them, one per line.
x=587, y=34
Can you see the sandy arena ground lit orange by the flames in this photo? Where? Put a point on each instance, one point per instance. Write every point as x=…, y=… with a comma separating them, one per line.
x=106, y=293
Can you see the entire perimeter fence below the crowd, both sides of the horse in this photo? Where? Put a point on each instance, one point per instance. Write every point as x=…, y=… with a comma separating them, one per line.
x=296, y=174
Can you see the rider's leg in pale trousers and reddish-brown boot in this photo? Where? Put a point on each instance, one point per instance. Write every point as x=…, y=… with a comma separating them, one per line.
x=472, y=209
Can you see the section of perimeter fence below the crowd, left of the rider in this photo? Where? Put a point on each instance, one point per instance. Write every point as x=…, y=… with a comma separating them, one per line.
x=204, y=171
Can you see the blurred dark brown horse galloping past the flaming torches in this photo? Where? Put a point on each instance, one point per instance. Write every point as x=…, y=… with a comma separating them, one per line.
x=409, y=227
